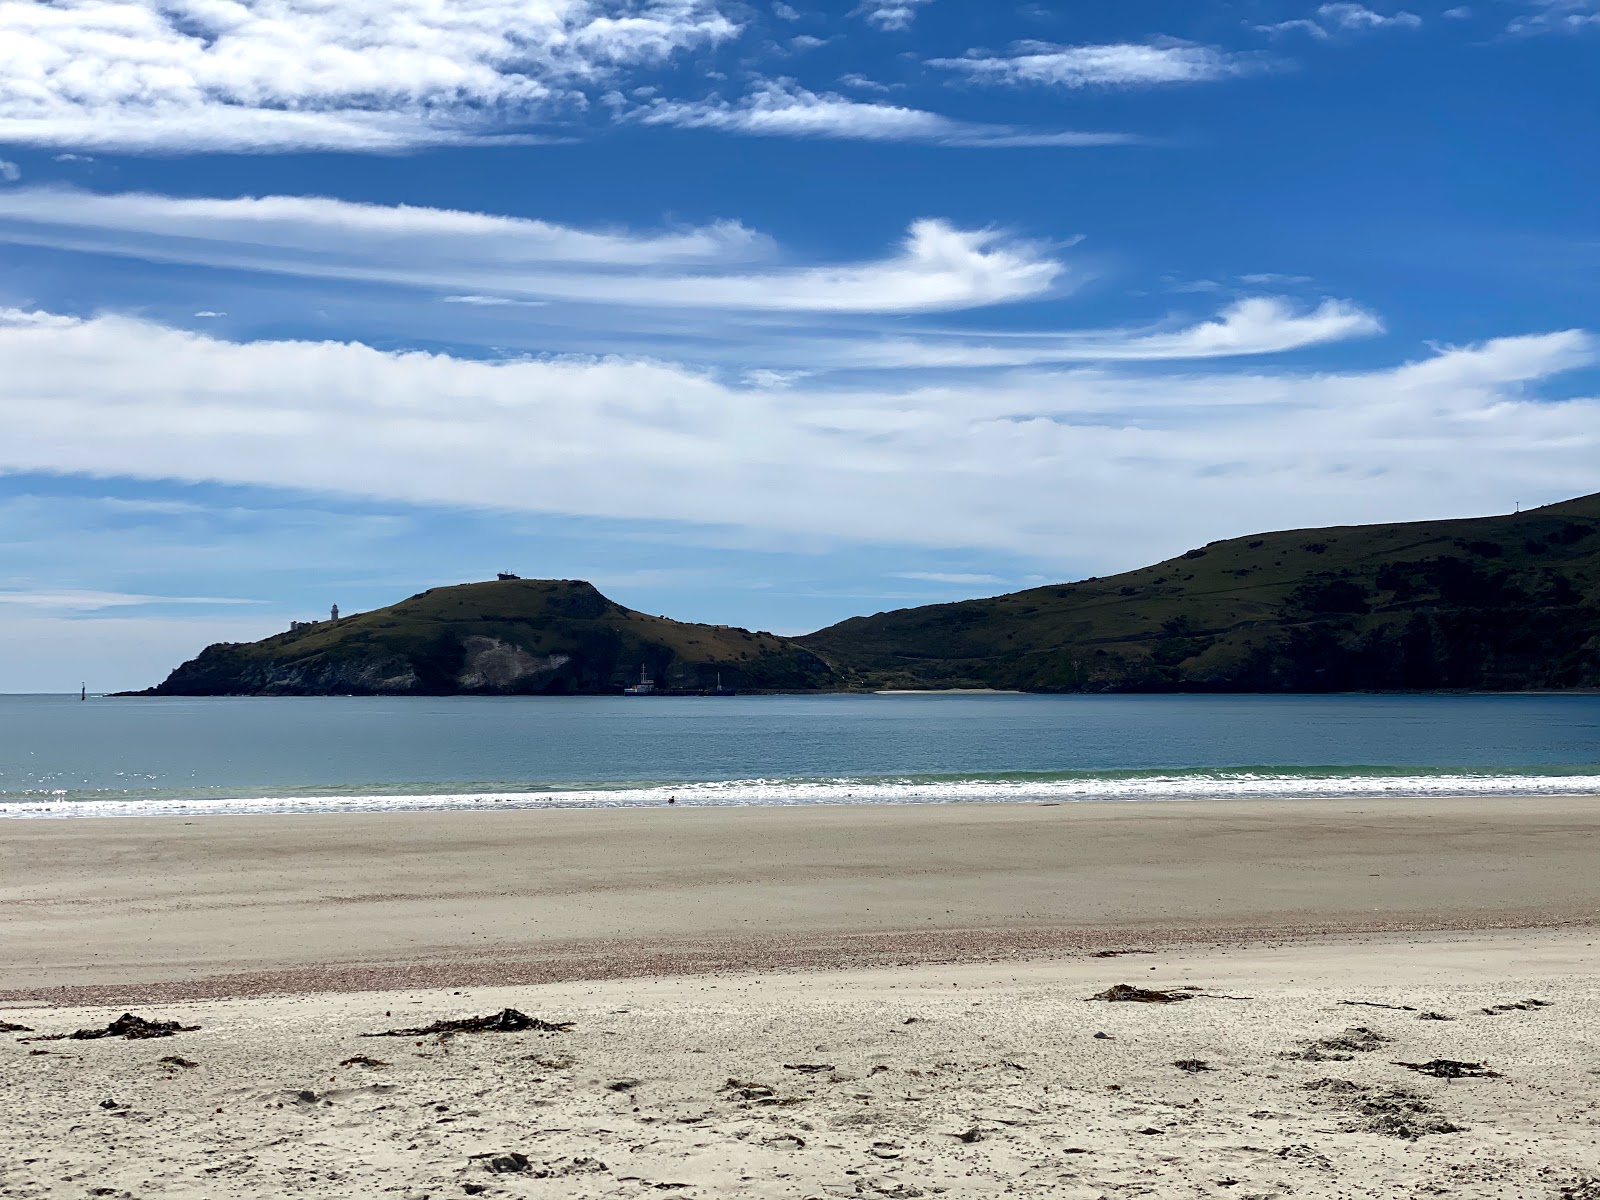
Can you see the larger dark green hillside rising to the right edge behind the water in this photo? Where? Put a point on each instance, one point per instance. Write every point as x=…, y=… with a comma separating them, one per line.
x=1497, y=602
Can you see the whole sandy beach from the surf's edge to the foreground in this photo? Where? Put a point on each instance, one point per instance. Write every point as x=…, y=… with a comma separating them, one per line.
x=833, y=1002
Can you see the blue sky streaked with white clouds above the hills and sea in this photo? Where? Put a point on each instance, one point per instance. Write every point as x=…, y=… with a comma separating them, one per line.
x=766, y=314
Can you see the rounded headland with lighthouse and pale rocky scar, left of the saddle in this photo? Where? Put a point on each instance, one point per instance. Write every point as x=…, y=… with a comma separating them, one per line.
x=516, y=636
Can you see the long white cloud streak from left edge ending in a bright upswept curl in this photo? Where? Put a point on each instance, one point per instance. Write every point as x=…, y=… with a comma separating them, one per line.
x=514, y=258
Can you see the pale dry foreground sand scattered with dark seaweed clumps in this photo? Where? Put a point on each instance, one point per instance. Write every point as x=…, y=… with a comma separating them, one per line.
x=938, y=1081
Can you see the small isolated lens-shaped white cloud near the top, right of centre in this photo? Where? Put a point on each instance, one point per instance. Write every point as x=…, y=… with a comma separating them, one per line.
x=1119, y=65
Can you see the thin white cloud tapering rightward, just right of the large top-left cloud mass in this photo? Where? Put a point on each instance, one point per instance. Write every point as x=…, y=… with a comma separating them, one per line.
x=783, y=110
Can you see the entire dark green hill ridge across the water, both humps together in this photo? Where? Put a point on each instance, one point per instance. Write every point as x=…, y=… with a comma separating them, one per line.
x=1495, y=604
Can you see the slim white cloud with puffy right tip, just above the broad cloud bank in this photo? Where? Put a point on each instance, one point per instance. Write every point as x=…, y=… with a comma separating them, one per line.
x=1250, y=327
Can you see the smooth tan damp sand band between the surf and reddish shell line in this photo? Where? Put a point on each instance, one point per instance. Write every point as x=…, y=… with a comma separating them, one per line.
x=236, y=906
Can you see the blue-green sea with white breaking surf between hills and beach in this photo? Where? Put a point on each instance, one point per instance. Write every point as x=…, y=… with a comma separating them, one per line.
x=62, y=758
